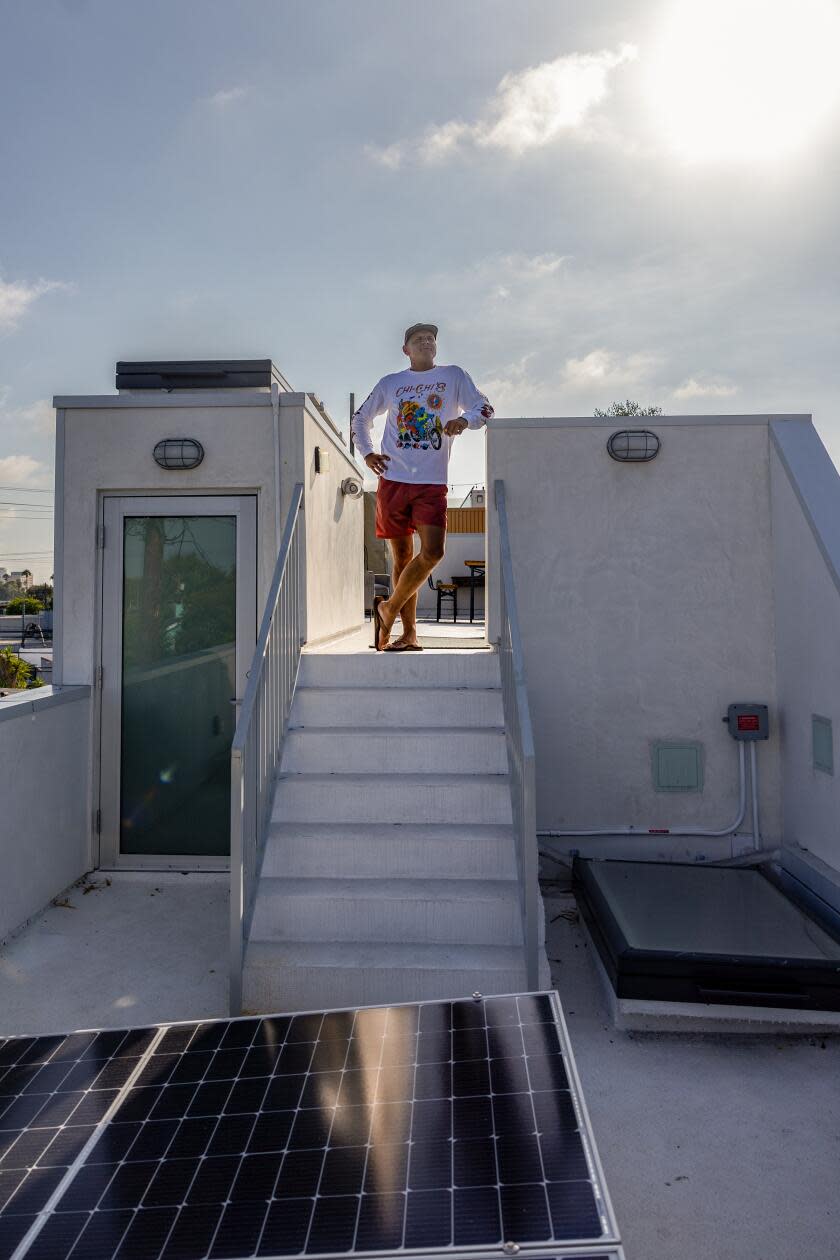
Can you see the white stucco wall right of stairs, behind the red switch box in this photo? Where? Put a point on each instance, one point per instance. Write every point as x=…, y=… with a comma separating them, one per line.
x=647, y=603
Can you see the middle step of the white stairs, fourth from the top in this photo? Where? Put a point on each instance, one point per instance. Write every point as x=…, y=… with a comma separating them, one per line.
x=411, y=798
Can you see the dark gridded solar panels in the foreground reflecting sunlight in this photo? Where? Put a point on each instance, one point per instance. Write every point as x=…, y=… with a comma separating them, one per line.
x=426, y=1128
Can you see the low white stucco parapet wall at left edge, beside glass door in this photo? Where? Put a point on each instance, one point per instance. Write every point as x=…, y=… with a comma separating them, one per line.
x=45, y=839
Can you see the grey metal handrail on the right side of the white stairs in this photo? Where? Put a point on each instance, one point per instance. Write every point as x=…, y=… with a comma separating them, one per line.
x=521, y=745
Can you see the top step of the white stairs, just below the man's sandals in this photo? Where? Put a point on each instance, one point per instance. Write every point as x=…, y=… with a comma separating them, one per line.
x=463, y=668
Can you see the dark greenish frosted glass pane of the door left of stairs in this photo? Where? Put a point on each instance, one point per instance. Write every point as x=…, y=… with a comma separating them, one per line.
x=179, y=641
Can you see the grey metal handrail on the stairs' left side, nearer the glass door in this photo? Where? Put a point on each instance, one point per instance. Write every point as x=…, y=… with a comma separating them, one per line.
x=259, y=739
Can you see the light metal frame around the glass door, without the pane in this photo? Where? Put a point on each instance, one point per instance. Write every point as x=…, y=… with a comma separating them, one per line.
x=116, y=506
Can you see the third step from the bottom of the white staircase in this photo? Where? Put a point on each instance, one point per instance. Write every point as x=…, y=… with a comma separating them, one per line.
x=391, y=850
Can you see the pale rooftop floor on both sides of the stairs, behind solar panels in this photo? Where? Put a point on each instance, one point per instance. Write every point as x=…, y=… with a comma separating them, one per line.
x=713, y=1147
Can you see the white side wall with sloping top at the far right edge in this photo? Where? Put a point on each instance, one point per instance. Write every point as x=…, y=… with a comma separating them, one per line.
x=807, y=565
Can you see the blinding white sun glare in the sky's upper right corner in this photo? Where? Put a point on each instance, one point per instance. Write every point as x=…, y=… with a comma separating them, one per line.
x=741, y=80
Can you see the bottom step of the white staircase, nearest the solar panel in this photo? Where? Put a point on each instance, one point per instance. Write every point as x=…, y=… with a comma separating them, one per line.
x=318, y=976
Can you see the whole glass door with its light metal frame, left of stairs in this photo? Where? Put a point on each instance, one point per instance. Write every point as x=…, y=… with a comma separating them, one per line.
x=178, y=636
